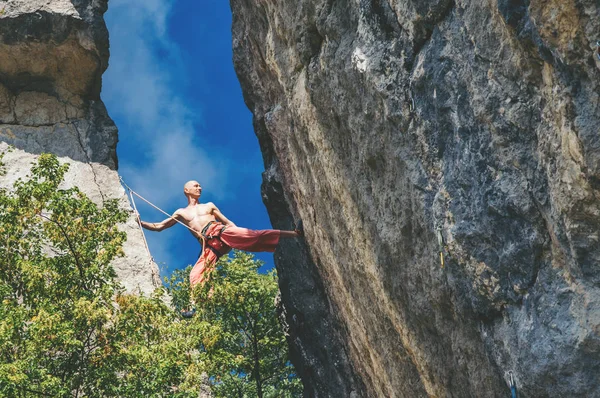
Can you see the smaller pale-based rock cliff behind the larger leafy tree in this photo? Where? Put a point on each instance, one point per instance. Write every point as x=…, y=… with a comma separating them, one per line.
x=52, y=56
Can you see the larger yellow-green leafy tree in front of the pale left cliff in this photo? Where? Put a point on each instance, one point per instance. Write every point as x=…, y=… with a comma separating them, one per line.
x=66, y=328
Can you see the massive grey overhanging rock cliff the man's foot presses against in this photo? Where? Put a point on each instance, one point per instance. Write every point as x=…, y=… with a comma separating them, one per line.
x=381, y=121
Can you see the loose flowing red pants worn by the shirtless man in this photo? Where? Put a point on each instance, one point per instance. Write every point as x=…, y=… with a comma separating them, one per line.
x=265, y=240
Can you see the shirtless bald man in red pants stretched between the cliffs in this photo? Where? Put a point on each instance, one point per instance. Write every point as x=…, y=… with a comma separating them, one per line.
x=219, y=233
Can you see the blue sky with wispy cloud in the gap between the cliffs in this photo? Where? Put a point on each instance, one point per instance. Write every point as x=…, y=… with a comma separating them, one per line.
x=173, y=94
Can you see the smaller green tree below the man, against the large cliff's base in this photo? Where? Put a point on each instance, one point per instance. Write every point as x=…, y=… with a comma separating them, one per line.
x=243, y=346
